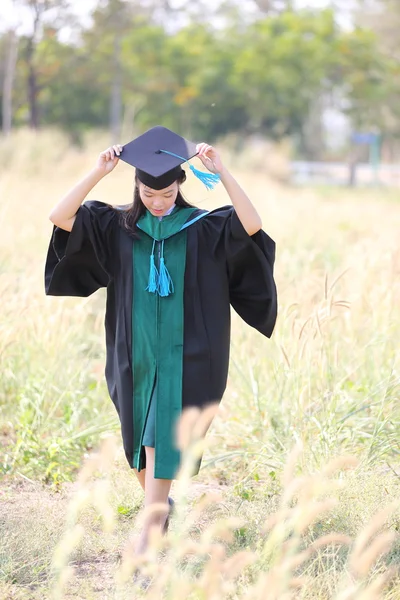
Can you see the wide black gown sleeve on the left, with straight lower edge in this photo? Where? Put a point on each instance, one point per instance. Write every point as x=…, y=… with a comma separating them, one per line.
x=79, y=262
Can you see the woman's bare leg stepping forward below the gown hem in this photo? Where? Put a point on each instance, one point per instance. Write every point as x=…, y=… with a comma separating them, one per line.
x=156, y=490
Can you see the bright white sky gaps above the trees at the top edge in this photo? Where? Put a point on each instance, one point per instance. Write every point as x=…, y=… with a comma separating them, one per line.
x=11, y=16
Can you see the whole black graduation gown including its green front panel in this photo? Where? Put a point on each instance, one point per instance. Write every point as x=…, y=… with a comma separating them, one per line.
x=224, y=267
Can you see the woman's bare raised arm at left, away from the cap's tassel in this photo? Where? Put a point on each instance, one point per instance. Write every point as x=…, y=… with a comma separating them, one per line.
x=63, y=214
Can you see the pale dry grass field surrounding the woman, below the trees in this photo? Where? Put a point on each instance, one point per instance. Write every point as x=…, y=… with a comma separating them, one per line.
x=270, y=515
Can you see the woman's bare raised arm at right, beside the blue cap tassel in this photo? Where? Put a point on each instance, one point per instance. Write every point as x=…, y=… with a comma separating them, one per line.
x=244, y=208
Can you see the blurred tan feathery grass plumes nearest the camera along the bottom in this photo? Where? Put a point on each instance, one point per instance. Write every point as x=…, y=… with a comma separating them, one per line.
x=291, y=558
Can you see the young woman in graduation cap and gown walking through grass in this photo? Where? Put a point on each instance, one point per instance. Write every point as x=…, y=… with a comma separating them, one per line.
x=172, y=271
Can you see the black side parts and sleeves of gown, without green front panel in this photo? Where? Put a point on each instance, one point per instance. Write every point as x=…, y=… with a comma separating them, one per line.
x=224, y=266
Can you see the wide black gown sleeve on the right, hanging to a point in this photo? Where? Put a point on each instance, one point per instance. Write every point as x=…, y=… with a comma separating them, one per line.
x=250, y=267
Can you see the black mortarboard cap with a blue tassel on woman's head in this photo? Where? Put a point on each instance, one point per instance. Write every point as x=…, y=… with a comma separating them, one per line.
x=158, y=155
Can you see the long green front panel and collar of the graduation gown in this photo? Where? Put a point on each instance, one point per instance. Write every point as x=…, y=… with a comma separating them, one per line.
x=157, y=333
